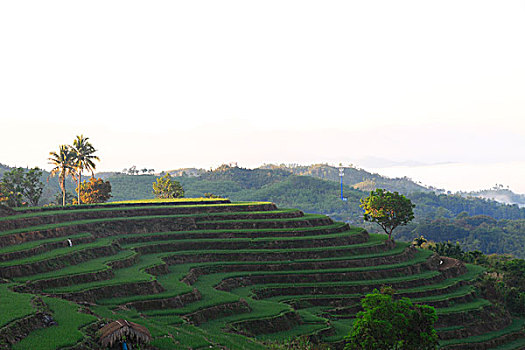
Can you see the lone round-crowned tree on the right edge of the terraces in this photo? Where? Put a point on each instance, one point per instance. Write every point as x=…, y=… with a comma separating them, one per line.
x=388, y=209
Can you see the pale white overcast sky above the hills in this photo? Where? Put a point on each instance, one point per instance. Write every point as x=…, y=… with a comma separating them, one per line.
x=170, y=84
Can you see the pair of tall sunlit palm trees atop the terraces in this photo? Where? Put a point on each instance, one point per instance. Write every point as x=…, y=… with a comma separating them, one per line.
x=72, y=161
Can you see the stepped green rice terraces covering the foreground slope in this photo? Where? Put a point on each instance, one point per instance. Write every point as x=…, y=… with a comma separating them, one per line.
x=203, y=274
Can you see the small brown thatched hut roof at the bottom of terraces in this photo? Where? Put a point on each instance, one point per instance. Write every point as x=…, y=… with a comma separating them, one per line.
x=114, y=332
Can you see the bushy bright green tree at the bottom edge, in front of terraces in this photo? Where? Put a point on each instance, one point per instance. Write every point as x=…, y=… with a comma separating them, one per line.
x=388, y=324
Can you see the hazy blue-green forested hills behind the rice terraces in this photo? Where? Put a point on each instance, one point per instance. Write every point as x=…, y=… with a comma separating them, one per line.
x=435, y=213
